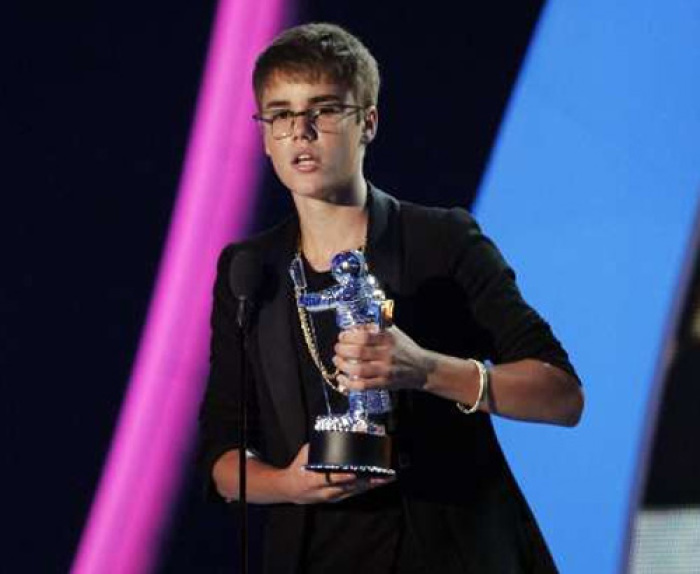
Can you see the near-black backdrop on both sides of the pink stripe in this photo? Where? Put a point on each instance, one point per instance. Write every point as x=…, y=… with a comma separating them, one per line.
x=99, y=101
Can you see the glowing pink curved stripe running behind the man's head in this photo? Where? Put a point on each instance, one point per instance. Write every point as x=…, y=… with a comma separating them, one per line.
x=214, y=204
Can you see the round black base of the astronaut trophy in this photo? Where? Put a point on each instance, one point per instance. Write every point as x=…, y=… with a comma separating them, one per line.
x=361, y=453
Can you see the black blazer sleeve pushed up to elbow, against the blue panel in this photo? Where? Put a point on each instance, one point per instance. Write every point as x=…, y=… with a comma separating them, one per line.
x=516, y=330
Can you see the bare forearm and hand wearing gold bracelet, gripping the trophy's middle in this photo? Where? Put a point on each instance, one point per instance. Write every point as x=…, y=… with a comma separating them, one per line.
x=528, y=389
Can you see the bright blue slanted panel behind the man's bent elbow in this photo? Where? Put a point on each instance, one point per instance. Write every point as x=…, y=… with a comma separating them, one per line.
x=591, y=193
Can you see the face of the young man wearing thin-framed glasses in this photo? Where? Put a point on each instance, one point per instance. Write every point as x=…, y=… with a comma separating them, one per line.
x=312, y=162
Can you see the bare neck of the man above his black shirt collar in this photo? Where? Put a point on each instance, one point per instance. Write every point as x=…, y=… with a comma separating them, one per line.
x=329, y=227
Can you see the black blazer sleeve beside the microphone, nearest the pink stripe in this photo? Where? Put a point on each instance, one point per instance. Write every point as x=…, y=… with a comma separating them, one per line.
x=219, y=411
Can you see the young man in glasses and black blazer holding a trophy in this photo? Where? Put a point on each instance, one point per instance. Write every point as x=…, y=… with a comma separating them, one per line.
x=454, y=506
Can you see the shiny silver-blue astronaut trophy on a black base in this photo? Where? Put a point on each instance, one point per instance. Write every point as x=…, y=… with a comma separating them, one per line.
x=352, y=441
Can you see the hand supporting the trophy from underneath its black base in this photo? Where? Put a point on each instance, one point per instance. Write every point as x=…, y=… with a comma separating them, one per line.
x=307, y=487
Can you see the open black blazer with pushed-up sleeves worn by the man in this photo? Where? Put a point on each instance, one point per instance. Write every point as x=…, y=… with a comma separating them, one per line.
x=454, y=294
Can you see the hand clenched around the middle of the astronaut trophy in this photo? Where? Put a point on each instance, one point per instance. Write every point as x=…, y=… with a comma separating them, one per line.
x=371, y=359
